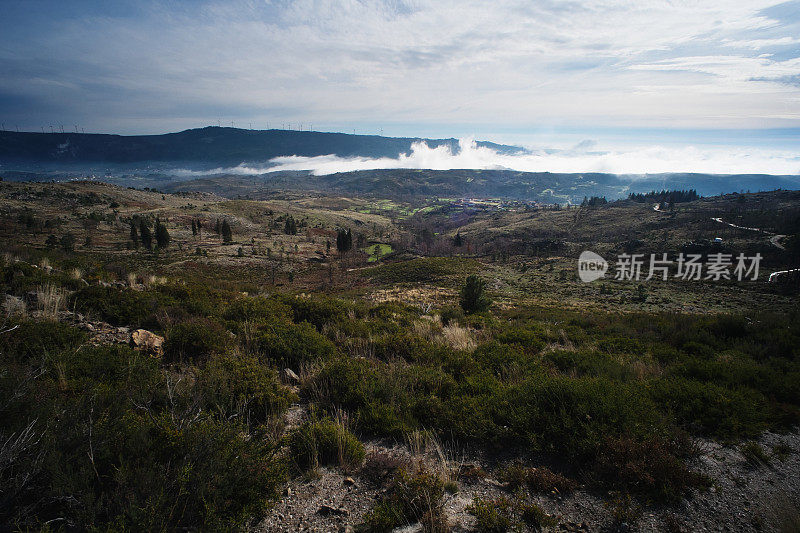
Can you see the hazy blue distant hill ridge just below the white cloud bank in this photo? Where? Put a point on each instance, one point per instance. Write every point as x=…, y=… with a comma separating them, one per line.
x=415, y=184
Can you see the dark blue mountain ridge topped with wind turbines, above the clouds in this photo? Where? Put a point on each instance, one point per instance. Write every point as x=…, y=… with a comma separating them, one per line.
x=207, y=145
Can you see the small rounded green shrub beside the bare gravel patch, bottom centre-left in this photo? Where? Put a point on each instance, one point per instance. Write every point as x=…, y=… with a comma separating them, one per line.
x=324, y=442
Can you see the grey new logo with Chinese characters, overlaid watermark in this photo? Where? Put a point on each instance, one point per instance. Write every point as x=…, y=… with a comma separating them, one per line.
x=638, y=267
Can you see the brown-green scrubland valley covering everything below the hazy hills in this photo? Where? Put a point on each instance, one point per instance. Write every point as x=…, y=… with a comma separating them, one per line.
x=319, y=361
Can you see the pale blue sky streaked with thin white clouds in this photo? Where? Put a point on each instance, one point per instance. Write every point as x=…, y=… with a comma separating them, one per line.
x=613, y=73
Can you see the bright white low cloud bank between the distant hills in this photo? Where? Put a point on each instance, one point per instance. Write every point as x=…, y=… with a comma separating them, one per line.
x=582, y=158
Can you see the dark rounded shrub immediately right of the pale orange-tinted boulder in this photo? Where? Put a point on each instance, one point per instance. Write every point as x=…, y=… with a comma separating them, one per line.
x=195, y=340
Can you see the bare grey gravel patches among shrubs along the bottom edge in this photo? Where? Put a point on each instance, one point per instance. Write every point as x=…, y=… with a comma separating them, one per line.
x=744, y=497
